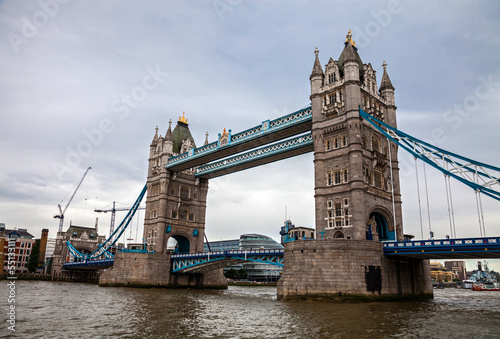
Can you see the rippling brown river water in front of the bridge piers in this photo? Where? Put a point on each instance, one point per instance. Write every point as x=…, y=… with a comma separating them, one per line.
x=74, y=310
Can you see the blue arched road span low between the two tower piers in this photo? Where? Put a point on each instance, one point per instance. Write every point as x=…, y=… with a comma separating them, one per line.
x=206, y=261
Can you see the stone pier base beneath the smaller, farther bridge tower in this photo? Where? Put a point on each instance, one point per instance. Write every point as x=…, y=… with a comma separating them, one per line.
x=153, y=270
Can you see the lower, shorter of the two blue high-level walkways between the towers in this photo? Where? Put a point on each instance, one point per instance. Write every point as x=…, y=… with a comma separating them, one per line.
x=265, y=155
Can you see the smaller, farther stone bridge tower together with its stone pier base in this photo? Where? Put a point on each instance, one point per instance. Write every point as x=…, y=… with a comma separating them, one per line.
x=175, y=208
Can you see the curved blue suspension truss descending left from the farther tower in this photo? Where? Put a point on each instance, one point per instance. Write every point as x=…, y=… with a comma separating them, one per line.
x=103, y=250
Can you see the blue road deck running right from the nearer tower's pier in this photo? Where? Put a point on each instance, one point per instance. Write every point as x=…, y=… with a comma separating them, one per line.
x=466, y=248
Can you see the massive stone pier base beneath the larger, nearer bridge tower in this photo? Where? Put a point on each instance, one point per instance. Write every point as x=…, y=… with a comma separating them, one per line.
x=350, y=270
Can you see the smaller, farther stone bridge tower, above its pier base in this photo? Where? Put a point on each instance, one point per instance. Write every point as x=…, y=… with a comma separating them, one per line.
x=176, y=202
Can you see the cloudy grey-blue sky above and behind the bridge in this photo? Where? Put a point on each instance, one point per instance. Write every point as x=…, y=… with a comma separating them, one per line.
x=84, y=83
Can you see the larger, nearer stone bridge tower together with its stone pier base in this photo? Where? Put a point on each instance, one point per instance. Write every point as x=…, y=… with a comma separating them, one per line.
x=357, y=194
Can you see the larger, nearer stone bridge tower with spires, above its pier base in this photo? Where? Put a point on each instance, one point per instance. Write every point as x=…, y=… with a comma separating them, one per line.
x=353, y=178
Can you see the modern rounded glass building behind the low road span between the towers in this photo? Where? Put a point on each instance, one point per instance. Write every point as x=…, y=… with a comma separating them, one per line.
x=256, y=271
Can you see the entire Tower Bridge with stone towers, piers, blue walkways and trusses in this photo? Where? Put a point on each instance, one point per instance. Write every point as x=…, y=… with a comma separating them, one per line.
x=351, y=128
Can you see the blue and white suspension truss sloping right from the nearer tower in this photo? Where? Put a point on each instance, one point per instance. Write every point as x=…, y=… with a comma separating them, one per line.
x=479, y=176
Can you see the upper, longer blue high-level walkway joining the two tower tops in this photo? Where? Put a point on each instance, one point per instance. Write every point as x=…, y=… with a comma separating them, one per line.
x=269, y=131
